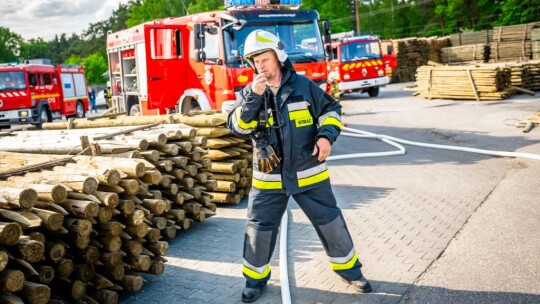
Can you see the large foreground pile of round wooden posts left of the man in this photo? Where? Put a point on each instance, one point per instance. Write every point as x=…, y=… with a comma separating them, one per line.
x=82, y=228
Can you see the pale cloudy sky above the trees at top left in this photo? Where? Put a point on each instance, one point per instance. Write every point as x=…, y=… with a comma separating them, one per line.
x=46, y=18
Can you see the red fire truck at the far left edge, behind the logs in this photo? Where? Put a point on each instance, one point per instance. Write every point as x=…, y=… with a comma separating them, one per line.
x=38, y=93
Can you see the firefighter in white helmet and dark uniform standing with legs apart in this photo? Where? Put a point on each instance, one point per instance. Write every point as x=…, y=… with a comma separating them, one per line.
x=293, y=124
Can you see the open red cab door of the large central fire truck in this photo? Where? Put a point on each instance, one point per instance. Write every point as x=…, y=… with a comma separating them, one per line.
x=167, y=64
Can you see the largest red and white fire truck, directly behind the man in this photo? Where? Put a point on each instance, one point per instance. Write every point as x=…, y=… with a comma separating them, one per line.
x=195, y=62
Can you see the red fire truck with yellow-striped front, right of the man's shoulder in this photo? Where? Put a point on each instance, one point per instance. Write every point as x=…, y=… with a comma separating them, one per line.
x=359, y=65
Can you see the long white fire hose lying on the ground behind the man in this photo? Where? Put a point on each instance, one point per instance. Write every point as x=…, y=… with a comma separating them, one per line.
x=395, y=142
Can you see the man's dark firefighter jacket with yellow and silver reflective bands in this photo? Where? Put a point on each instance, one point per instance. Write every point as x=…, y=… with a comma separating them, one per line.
x=306, y=113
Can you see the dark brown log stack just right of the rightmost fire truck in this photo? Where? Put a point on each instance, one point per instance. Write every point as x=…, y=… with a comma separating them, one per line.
x=414, y=52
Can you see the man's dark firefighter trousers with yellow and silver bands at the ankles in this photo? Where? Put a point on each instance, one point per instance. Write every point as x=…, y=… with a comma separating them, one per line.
x=265, y=209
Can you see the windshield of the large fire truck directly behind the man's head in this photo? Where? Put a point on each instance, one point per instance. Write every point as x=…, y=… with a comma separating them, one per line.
x=302, y=41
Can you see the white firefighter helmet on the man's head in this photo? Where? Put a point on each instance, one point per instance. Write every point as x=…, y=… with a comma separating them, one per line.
x=259, y=41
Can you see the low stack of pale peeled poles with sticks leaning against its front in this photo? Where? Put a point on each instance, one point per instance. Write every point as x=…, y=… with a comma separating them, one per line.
x=464, y=82
